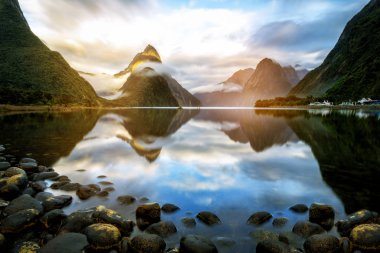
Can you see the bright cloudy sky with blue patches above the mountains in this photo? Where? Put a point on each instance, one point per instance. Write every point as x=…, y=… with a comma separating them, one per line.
x=200, y=42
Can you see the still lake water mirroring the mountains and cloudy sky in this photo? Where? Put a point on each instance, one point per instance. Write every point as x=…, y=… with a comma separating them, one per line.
x=230, y=162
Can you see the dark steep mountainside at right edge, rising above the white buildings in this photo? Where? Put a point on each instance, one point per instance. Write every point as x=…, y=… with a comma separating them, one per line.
x=352, y=69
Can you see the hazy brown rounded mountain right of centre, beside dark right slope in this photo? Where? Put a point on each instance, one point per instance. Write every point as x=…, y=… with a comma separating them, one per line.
x=270, y=80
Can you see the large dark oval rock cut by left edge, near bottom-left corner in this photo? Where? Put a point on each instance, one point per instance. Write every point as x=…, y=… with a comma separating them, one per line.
x=19, y=221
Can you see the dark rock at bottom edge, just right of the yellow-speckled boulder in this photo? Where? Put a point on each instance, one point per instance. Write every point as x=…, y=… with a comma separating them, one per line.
x=147, y=243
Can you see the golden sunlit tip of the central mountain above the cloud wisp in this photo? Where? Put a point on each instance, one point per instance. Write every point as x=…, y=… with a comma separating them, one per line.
x=149, y=54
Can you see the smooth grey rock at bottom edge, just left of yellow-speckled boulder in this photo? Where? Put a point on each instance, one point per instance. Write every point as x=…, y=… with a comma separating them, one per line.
x=66, y=243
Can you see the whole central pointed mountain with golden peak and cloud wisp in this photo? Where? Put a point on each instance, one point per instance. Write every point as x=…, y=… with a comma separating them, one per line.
x=146, y=87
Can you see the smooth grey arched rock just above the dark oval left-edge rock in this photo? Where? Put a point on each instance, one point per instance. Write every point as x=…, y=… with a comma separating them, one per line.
x=22, y=203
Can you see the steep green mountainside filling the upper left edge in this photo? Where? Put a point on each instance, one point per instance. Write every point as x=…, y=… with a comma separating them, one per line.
x=30, y=73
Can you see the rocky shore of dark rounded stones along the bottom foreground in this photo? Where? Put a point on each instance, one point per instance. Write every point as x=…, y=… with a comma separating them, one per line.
x=32, y=220
